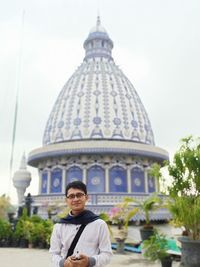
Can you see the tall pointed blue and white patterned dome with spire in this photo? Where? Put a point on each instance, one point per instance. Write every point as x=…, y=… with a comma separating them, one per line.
x=98, y=101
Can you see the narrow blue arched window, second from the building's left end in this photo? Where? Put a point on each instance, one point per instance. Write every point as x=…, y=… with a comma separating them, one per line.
x=56, y=181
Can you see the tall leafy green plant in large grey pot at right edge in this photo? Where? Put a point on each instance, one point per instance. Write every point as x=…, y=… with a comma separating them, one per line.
x=184, y=193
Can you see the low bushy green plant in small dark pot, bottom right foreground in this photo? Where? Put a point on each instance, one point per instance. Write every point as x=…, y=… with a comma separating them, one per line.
x=155, y=248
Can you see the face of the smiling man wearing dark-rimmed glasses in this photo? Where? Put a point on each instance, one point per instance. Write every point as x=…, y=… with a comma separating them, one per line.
x=76, y=200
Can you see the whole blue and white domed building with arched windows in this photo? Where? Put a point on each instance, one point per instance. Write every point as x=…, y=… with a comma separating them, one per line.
x=98, y=132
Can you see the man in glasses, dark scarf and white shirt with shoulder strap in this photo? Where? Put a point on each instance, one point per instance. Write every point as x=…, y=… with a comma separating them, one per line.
x=93, y=247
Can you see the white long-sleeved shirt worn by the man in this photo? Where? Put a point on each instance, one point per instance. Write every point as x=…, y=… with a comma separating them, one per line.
x=93, y=242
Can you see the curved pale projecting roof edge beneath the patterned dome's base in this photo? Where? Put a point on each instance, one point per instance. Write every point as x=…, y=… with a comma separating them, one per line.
x=96, y=147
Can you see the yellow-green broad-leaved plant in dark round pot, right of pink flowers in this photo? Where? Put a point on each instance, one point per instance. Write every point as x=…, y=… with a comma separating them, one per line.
x=150, y=204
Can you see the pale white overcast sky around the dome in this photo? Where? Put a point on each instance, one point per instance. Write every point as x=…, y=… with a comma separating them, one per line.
x=156, y=44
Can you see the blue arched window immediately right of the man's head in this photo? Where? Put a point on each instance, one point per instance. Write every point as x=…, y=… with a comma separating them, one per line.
x=96, y=179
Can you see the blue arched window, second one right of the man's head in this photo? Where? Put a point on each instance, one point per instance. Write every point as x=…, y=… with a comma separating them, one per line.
x=117, y=179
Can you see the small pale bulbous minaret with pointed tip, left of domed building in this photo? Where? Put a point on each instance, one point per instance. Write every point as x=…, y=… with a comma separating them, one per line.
x=21, y=180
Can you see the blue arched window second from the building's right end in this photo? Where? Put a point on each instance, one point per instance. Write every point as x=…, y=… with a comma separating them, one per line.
x=137, y=180
